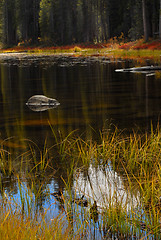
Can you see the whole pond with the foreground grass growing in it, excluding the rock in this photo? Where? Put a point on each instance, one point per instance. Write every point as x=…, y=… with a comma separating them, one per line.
x=89, y=169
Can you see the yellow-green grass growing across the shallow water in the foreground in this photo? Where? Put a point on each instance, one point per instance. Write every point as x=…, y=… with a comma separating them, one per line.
x=136, y=158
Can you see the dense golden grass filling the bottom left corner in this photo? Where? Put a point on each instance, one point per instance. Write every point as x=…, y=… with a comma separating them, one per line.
x=14, y=226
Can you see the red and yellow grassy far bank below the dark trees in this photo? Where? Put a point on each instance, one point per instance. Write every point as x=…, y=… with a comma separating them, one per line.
x=114, y=48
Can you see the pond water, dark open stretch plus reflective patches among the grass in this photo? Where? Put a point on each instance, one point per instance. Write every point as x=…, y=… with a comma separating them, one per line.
x=92, y=97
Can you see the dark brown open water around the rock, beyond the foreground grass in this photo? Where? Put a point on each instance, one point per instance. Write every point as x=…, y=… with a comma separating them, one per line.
x=90, y=92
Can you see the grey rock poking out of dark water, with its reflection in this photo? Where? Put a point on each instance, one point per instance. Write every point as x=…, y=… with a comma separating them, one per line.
x=41, y=103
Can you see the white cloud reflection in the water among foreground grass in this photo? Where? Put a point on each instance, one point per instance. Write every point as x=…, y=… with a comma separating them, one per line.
x=105, y=187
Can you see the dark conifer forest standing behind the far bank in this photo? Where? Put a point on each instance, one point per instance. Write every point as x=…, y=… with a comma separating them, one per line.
x=63, y=22
